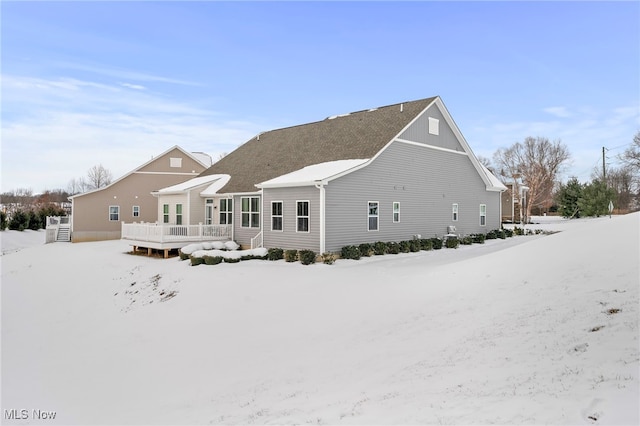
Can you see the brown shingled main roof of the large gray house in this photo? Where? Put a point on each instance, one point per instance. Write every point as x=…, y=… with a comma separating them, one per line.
x=357, y=135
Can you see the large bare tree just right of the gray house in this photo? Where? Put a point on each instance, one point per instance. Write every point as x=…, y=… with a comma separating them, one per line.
x=536, y=163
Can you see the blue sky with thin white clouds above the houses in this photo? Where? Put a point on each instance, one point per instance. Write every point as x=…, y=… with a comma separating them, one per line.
x=119, y=82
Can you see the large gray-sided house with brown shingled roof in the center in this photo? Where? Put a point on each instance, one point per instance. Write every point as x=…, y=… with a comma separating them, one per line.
x=383, y=174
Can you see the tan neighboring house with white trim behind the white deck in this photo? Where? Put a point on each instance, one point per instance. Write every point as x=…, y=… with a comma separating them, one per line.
x=98, y=214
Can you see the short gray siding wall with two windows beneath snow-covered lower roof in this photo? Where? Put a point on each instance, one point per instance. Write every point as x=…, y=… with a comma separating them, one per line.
x=288, y=238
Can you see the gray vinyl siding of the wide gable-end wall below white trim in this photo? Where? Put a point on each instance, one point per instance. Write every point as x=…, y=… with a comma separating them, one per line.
x=426, y=182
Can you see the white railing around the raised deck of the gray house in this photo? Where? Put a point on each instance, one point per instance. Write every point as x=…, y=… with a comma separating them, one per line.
x=157, y=233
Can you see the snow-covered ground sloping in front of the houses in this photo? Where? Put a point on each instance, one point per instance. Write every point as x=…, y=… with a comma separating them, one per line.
x=536, y=329
